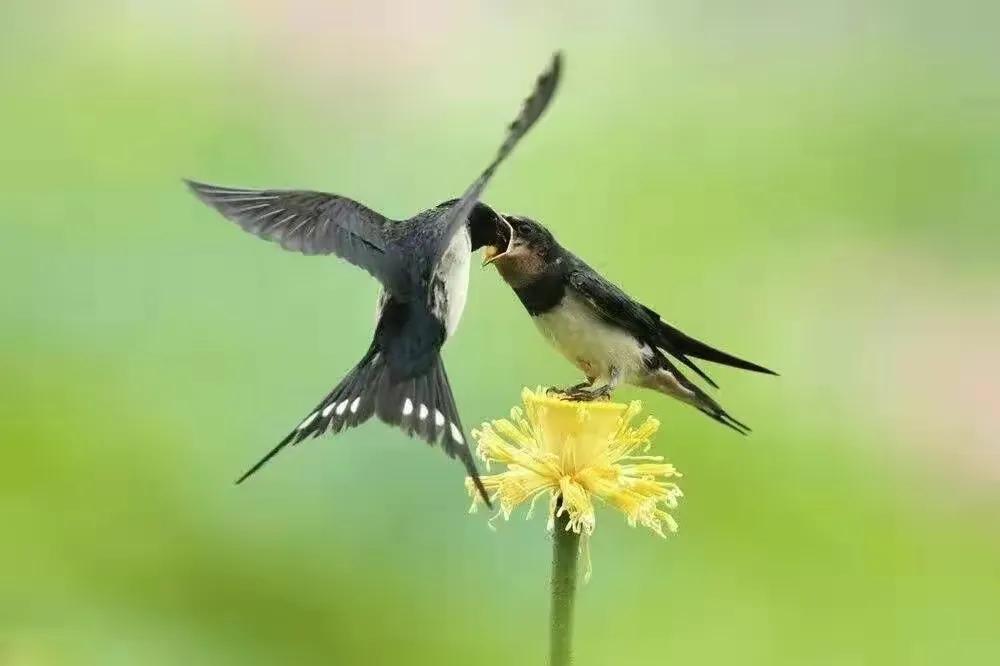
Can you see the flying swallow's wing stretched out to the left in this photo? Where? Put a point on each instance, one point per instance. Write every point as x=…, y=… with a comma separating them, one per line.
x=310, y=223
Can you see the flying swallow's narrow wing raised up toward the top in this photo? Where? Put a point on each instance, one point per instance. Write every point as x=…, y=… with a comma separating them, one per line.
x=453, y=219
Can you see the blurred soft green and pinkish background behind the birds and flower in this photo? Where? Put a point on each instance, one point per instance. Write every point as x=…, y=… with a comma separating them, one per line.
x=815, y=187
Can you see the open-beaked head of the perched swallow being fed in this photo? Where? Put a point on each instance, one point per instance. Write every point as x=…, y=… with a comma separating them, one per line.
x=525, y=250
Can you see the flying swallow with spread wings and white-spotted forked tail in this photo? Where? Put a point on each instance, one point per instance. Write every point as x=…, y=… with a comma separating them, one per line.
x=422, y=264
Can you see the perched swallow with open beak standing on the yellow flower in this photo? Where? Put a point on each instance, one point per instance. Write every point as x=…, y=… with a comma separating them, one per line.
x=599, y=328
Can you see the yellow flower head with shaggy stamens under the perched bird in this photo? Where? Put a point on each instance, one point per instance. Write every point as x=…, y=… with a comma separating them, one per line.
x=577, y=451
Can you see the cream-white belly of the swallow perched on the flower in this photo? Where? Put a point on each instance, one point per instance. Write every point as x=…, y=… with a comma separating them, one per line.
x=589, y=343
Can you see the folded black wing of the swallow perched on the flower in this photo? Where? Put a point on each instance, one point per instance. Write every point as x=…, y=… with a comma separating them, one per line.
x=618, y=308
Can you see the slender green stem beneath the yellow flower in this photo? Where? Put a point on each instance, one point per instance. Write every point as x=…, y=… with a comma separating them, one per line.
x=565, y=553
